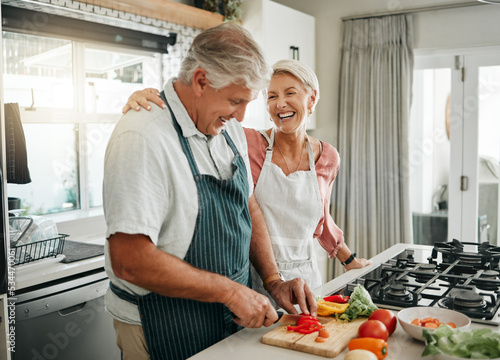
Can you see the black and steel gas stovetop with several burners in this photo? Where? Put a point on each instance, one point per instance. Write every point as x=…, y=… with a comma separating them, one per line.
x=456, y=275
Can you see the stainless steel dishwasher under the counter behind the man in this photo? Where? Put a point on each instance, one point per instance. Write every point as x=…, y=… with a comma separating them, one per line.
x=65, y=319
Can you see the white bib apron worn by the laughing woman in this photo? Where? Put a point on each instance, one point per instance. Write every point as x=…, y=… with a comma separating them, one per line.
x=292, y=208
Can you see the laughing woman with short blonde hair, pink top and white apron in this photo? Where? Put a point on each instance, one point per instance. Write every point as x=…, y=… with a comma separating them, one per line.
x=293, y=176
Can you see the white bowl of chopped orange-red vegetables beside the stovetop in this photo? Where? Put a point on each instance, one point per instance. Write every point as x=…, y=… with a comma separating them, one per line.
x=415, y=319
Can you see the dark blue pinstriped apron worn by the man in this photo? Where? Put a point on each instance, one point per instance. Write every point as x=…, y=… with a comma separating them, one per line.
x=177, y=328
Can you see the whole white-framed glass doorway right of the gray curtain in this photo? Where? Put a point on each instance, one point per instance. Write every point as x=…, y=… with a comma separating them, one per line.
x=455, y=146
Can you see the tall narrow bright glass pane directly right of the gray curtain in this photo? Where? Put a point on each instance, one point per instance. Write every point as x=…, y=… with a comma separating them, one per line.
x=430, y=154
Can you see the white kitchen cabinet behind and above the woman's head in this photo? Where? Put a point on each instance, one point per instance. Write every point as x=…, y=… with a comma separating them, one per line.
x=283, y=33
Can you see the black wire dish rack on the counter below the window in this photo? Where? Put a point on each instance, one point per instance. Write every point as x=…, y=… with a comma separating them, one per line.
x=39, y=250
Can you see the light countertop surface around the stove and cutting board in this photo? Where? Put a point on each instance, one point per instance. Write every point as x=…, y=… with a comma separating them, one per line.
x=247, y=345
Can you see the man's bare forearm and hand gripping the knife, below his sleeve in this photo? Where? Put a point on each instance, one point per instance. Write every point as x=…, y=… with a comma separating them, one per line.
x=136, y=259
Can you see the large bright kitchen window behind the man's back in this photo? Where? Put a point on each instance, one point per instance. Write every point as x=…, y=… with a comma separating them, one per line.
x=70, y=95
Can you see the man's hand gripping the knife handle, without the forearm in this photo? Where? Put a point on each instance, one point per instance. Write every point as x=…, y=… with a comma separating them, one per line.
x=251, y=309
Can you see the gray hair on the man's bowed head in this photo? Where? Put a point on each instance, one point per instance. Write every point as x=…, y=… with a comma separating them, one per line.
x=229, y=55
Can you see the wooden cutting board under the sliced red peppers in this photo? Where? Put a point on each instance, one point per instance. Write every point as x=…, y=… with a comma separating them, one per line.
x=340, y=335
